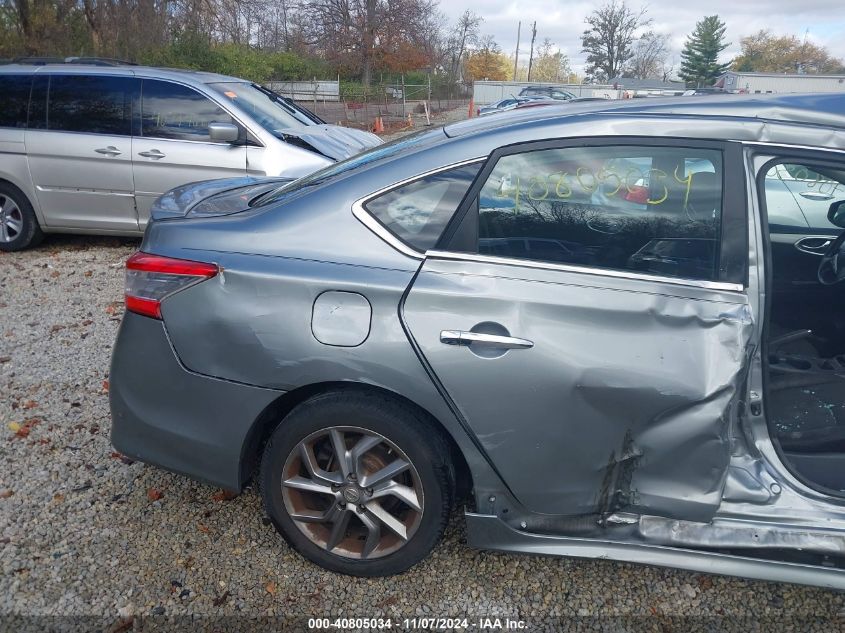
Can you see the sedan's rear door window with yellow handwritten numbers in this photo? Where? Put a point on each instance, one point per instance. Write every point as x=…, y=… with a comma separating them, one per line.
x=654, y=210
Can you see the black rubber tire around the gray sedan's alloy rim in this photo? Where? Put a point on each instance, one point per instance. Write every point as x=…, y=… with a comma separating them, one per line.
x=401, y=425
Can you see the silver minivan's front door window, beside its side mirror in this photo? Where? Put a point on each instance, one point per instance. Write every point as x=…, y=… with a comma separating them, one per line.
x=174, y=111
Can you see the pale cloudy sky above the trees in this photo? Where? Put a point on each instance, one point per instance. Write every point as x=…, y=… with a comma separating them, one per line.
x=563, y=22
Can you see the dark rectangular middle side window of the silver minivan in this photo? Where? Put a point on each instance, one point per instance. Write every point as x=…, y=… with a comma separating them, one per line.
x=95, y=104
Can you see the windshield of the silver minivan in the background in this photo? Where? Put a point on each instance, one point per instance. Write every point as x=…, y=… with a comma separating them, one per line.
x=273, y=112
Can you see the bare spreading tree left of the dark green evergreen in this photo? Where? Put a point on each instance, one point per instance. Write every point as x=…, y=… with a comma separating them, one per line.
x=609, y=39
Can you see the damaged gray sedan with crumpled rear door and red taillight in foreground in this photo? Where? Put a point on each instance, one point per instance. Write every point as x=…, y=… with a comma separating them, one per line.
x=611, y=330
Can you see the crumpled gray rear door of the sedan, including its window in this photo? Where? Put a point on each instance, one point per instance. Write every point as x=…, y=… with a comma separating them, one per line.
x=586, y=314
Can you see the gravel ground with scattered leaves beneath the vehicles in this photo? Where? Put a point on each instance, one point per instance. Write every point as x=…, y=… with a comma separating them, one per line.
x=84, y=532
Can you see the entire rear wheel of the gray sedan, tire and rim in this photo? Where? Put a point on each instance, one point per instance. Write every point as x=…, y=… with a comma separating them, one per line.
x=358, y=483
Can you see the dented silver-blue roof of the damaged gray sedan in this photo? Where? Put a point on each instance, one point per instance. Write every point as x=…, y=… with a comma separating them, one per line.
x=825, y=110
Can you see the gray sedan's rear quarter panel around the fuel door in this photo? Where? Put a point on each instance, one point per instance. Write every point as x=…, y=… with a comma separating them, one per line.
x=252, y=324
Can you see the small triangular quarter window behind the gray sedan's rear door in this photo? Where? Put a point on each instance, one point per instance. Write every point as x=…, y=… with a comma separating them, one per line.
x=418, y=212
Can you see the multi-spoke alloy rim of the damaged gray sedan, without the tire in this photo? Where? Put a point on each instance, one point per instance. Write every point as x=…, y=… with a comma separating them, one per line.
x=352, y=492
